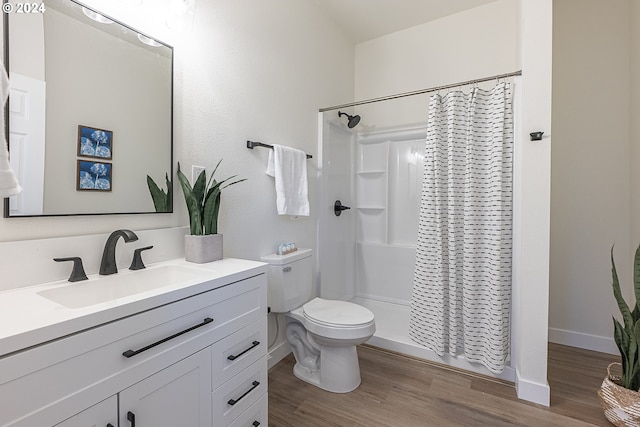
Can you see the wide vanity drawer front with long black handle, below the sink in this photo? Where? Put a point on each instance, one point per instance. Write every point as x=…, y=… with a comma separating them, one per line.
x=83, y=368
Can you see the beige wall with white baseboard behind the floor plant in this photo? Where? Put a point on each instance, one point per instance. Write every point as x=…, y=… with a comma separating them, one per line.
x=593, y=206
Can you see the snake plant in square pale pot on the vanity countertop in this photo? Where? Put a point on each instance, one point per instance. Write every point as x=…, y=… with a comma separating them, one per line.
x=204, y=244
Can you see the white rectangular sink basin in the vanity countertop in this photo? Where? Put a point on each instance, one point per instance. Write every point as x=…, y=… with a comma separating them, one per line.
x=103, y=289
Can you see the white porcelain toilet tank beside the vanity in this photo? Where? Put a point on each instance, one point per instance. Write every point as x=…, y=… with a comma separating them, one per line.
x=289, y=280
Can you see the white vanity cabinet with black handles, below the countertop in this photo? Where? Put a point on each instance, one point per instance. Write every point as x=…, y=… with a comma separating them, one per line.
x=199, y=361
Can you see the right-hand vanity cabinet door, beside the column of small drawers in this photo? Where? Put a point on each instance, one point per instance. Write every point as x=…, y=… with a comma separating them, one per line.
x=179, y=395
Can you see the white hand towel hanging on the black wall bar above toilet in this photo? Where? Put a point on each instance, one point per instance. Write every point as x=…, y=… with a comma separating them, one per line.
x=289, y=168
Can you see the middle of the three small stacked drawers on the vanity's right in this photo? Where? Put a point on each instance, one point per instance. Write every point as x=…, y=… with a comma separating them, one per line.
x=240, y=393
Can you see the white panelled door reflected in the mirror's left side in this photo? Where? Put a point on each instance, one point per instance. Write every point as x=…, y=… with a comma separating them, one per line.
x=26, y=142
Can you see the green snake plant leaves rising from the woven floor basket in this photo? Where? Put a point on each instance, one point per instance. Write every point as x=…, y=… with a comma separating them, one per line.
x=627, y=337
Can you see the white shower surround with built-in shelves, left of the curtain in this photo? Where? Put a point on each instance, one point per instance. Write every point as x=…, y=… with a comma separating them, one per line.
x=379, y=233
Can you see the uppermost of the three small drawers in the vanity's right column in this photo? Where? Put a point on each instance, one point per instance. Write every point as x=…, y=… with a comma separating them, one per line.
x=238, y=351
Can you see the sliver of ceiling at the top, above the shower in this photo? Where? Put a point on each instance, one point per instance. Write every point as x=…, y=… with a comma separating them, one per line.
x=364, y=20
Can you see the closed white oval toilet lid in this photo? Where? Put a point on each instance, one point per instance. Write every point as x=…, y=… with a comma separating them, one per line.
x=337, y=313
